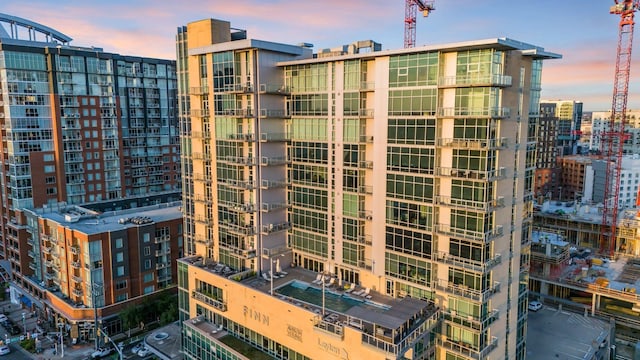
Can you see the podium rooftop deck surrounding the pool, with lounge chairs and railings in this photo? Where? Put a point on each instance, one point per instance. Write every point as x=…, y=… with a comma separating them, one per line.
x=388, y=323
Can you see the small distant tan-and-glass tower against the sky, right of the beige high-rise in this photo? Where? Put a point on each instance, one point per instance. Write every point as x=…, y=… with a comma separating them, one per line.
x=569, y=114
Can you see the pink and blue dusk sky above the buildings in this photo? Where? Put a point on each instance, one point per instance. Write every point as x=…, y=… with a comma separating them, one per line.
x=582, y=31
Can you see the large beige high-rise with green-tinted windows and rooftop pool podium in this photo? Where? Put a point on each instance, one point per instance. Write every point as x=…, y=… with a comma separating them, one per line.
x=355, y=203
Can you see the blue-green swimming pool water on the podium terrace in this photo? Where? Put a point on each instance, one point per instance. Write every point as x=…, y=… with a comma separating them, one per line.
x=303, y=292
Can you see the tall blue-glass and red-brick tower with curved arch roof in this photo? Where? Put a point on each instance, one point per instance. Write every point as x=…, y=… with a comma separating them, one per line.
x=79, y=125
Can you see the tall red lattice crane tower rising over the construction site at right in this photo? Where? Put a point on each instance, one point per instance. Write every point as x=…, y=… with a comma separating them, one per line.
x=613, y=138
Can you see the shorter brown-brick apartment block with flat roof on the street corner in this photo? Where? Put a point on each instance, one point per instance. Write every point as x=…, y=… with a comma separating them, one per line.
x=88, y=266
